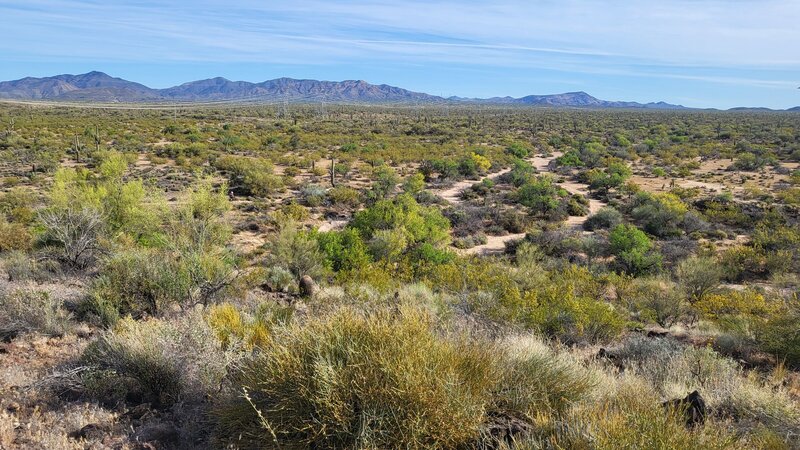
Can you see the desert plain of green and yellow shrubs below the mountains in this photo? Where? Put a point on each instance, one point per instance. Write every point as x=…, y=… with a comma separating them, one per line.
x=439, y=275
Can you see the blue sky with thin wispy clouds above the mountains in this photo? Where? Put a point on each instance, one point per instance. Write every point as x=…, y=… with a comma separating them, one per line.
x=703, y=53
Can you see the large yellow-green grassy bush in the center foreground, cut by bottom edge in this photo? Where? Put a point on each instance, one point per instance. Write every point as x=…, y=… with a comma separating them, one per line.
x=388, y=380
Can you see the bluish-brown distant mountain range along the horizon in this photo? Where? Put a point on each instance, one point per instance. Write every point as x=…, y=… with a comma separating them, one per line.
x=100, y=87
